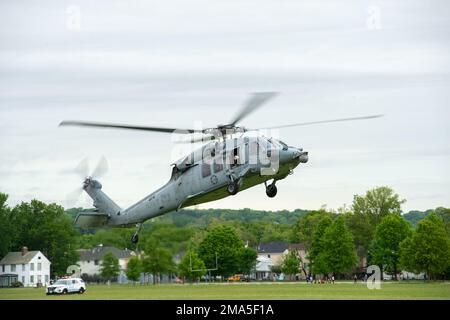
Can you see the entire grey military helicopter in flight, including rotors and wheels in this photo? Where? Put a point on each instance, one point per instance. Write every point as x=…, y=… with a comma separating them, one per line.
x=228, y=162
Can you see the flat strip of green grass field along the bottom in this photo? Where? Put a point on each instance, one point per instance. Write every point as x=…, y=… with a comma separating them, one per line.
x=252, y=291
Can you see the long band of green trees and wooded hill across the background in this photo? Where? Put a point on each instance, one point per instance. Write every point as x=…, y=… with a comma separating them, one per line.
x=371, y=230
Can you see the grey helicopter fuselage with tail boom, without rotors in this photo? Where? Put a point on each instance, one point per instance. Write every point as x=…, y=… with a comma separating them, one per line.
x=204, y=176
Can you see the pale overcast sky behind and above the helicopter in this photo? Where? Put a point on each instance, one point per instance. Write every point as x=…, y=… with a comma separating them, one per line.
x=193, y=63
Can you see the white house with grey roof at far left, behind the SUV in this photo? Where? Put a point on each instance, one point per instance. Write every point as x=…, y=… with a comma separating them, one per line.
x=31, y=268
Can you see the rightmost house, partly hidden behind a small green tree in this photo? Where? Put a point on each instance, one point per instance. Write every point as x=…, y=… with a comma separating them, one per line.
x=271, y=254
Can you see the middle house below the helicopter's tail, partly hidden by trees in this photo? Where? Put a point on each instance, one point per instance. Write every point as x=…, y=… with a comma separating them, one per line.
x=91, y=260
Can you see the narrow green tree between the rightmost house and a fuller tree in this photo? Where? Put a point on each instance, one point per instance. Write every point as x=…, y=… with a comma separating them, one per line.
x=317, y=246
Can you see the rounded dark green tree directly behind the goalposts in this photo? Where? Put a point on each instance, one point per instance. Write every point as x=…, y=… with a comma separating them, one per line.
x=223, y=241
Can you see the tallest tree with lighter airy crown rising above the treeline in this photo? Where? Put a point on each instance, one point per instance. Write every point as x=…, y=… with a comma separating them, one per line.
x=367, y=212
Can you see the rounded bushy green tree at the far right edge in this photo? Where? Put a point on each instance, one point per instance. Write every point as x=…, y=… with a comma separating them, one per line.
x=428, y=249
